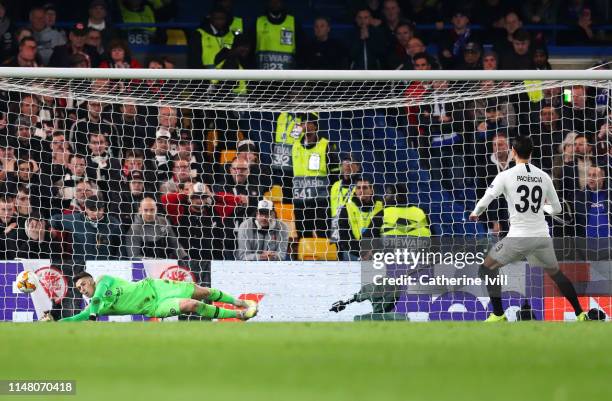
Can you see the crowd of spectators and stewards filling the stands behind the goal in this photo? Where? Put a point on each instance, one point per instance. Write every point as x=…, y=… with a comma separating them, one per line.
x=89, y=180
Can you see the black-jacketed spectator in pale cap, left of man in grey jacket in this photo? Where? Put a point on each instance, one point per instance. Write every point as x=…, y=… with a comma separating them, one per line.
x=200, y=228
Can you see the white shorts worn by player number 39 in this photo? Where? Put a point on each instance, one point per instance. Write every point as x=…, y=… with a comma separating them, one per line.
x=538, y=251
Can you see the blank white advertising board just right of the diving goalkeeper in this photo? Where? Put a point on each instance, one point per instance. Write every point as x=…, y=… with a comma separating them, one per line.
x=293, y=291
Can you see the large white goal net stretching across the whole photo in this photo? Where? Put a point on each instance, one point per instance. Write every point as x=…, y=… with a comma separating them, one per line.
x=314, y=193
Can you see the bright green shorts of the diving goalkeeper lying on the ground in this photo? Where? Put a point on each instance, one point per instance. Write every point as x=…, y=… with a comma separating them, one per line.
x=169, y=294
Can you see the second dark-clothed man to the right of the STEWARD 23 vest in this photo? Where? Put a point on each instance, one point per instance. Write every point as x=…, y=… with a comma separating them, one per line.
x=367, y=44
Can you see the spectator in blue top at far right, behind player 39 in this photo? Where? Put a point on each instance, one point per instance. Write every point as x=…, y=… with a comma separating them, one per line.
x=594, y=206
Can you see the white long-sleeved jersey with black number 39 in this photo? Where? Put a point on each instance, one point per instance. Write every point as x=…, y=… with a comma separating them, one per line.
x=526, y=189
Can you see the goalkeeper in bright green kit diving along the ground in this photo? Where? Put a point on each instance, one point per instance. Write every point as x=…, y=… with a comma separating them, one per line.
x=153, y=298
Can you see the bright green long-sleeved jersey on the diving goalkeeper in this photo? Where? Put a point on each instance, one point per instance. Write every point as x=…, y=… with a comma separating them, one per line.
x=115, y=296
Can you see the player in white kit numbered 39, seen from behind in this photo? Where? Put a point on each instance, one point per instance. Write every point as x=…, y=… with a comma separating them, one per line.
x=527, y=190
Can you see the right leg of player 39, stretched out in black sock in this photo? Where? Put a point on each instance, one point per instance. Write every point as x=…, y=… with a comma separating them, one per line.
x=545, y=257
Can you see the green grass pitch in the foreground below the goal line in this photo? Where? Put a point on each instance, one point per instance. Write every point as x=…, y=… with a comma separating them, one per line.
x=300, y=361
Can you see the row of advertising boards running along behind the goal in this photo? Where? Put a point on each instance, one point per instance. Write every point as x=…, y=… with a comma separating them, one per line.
x=305, y=291
